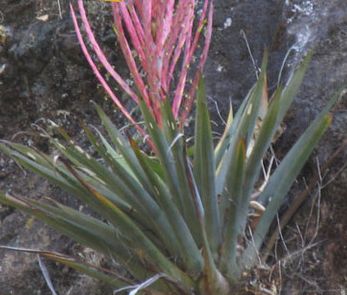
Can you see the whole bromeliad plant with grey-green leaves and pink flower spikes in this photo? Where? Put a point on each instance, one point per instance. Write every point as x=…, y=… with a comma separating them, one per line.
x=178, y=220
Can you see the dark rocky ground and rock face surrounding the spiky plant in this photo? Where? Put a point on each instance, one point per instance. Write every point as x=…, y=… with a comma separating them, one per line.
x=43, y=75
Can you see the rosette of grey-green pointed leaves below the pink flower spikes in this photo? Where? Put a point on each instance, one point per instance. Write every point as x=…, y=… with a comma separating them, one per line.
x=176, y=221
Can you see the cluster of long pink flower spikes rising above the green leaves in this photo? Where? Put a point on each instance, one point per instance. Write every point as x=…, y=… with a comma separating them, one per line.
x=165, y=46
